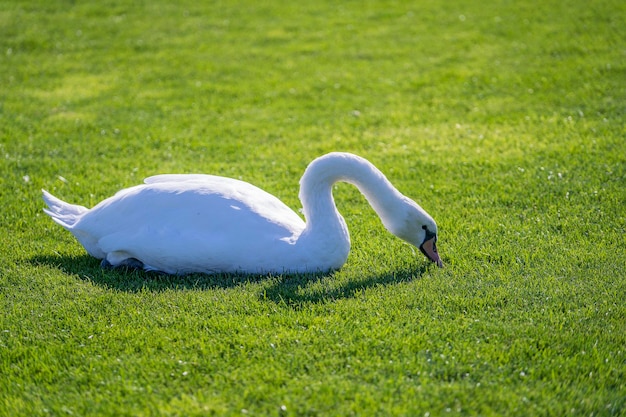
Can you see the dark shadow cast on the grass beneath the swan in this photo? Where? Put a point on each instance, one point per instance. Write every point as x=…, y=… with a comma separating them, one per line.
x=290, y=289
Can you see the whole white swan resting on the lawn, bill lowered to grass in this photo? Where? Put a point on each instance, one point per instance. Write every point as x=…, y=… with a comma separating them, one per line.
x=180, y=224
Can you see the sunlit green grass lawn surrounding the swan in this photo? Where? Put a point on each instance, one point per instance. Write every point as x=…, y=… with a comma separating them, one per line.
x=505, y=120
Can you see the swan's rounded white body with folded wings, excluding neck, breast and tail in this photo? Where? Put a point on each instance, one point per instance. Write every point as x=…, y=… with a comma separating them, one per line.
x=202, y=223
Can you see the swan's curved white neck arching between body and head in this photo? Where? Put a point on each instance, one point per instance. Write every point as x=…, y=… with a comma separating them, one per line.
x=322, y=218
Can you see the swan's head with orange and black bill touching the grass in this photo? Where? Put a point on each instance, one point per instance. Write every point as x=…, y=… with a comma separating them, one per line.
x=415, y=226
